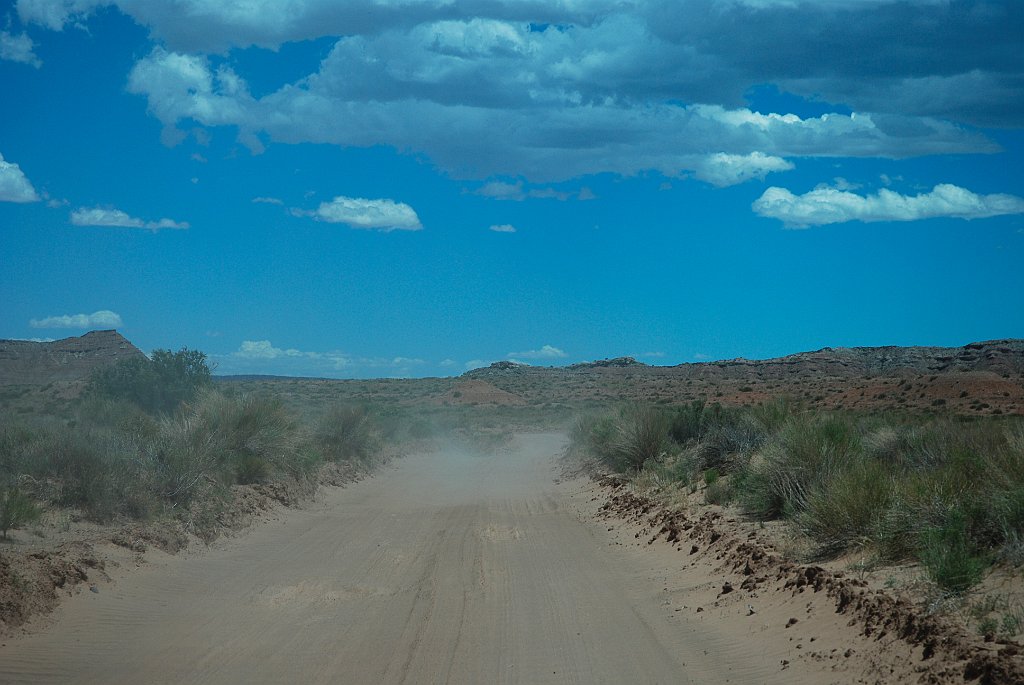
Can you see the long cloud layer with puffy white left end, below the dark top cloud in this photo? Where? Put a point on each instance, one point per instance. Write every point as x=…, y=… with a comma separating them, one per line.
x=527, y=121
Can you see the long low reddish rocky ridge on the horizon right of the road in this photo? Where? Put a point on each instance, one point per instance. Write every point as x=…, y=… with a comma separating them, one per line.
x=977, y=379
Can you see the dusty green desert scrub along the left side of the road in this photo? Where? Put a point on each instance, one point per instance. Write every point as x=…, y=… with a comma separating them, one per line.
x=124, y=453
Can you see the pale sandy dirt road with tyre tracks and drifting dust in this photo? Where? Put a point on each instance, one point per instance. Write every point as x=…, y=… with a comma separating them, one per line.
x=449, y=568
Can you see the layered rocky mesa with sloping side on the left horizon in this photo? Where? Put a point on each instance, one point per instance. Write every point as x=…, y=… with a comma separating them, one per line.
x=26, y=363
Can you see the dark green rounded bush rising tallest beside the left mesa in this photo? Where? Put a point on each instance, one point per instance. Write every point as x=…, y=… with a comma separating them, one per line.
x=157, y=386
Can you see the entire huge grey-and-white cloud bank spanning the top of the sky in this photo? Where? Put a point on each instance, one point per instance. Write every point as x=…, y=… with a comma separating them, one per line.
x=549, y=92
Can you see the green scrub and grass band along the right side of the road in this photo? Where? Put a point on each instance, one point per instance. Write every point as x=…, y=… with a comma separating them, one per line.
x=945, y=492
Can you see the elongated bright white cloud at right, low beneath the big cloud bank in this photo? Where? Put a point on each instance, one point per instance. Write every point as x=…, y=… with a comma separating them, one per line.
x=829, y=205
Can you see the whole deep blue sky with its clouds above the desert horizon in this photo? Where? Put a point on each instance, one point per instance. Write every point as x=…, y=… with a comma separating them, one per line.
x=418, y=188
